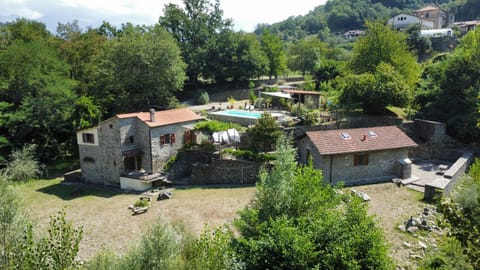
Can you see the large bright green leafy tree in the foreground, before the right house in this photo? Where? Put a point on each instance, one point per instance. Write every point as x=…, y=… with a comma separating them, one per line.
x=297, y=221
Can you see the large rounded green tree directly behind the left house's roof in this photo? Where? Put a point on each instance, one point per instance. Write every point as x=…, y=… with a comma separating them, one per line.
x=143, y=69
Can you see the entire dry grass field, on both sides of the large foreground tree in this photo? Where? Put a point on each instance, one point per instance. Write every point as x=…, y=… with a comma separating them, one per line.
x=107, y=222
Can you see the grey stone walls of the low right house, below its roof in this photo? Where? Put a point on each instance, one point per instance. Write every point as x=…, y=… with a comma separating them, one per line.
x=382, y=165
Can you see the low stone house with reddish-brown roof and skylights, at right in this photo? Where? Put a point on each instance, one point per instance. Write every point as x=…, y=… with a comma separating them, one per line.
x=361, y=155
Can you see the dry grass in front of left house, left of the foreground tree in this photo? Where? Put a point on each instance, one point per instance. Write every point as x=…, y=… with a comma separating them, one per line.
x=106, y=221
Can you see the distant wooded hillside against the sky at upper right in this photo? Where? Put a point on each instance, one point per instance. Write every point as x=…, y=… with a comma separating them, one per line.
x=337, y=16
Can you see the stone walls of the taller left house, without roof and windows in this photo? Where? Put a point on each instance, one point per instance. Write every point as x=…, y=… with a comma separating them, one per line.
x=103, y=162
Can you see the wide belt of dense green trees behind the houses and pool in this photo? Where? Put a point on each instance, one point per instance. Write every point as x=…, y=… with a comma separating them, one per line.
x=54, y=84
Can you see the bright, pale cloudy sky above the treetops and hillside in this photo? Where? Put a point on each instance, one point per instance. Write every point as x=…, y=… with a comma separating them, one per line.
x=246, y=14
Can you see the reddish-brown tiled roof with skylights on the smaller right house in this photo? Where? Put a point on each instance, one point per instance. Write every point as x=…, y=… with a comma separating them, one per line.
x=331, y=142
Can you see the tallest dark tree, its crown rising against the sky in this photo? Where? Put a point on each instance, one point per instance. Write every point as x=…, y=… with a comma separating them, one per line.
x=195, y=27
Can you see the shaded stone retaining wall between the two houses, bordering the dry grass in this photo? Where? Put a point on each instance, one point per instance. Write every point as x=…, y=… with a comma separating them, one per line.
x=223, y=171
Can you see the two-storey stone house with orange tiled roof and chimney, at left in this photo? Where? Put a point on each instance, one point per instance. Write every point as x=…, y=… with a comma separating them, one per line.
x=134, y=145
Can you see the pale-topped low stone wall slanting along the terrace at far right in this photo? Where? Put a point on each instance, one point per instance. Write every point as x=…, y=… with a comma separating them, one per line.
x=450, y=178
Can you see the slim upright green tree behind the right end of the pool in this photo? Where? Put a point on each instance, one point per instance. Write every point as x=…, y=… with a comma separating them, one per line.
x=273, y=48
